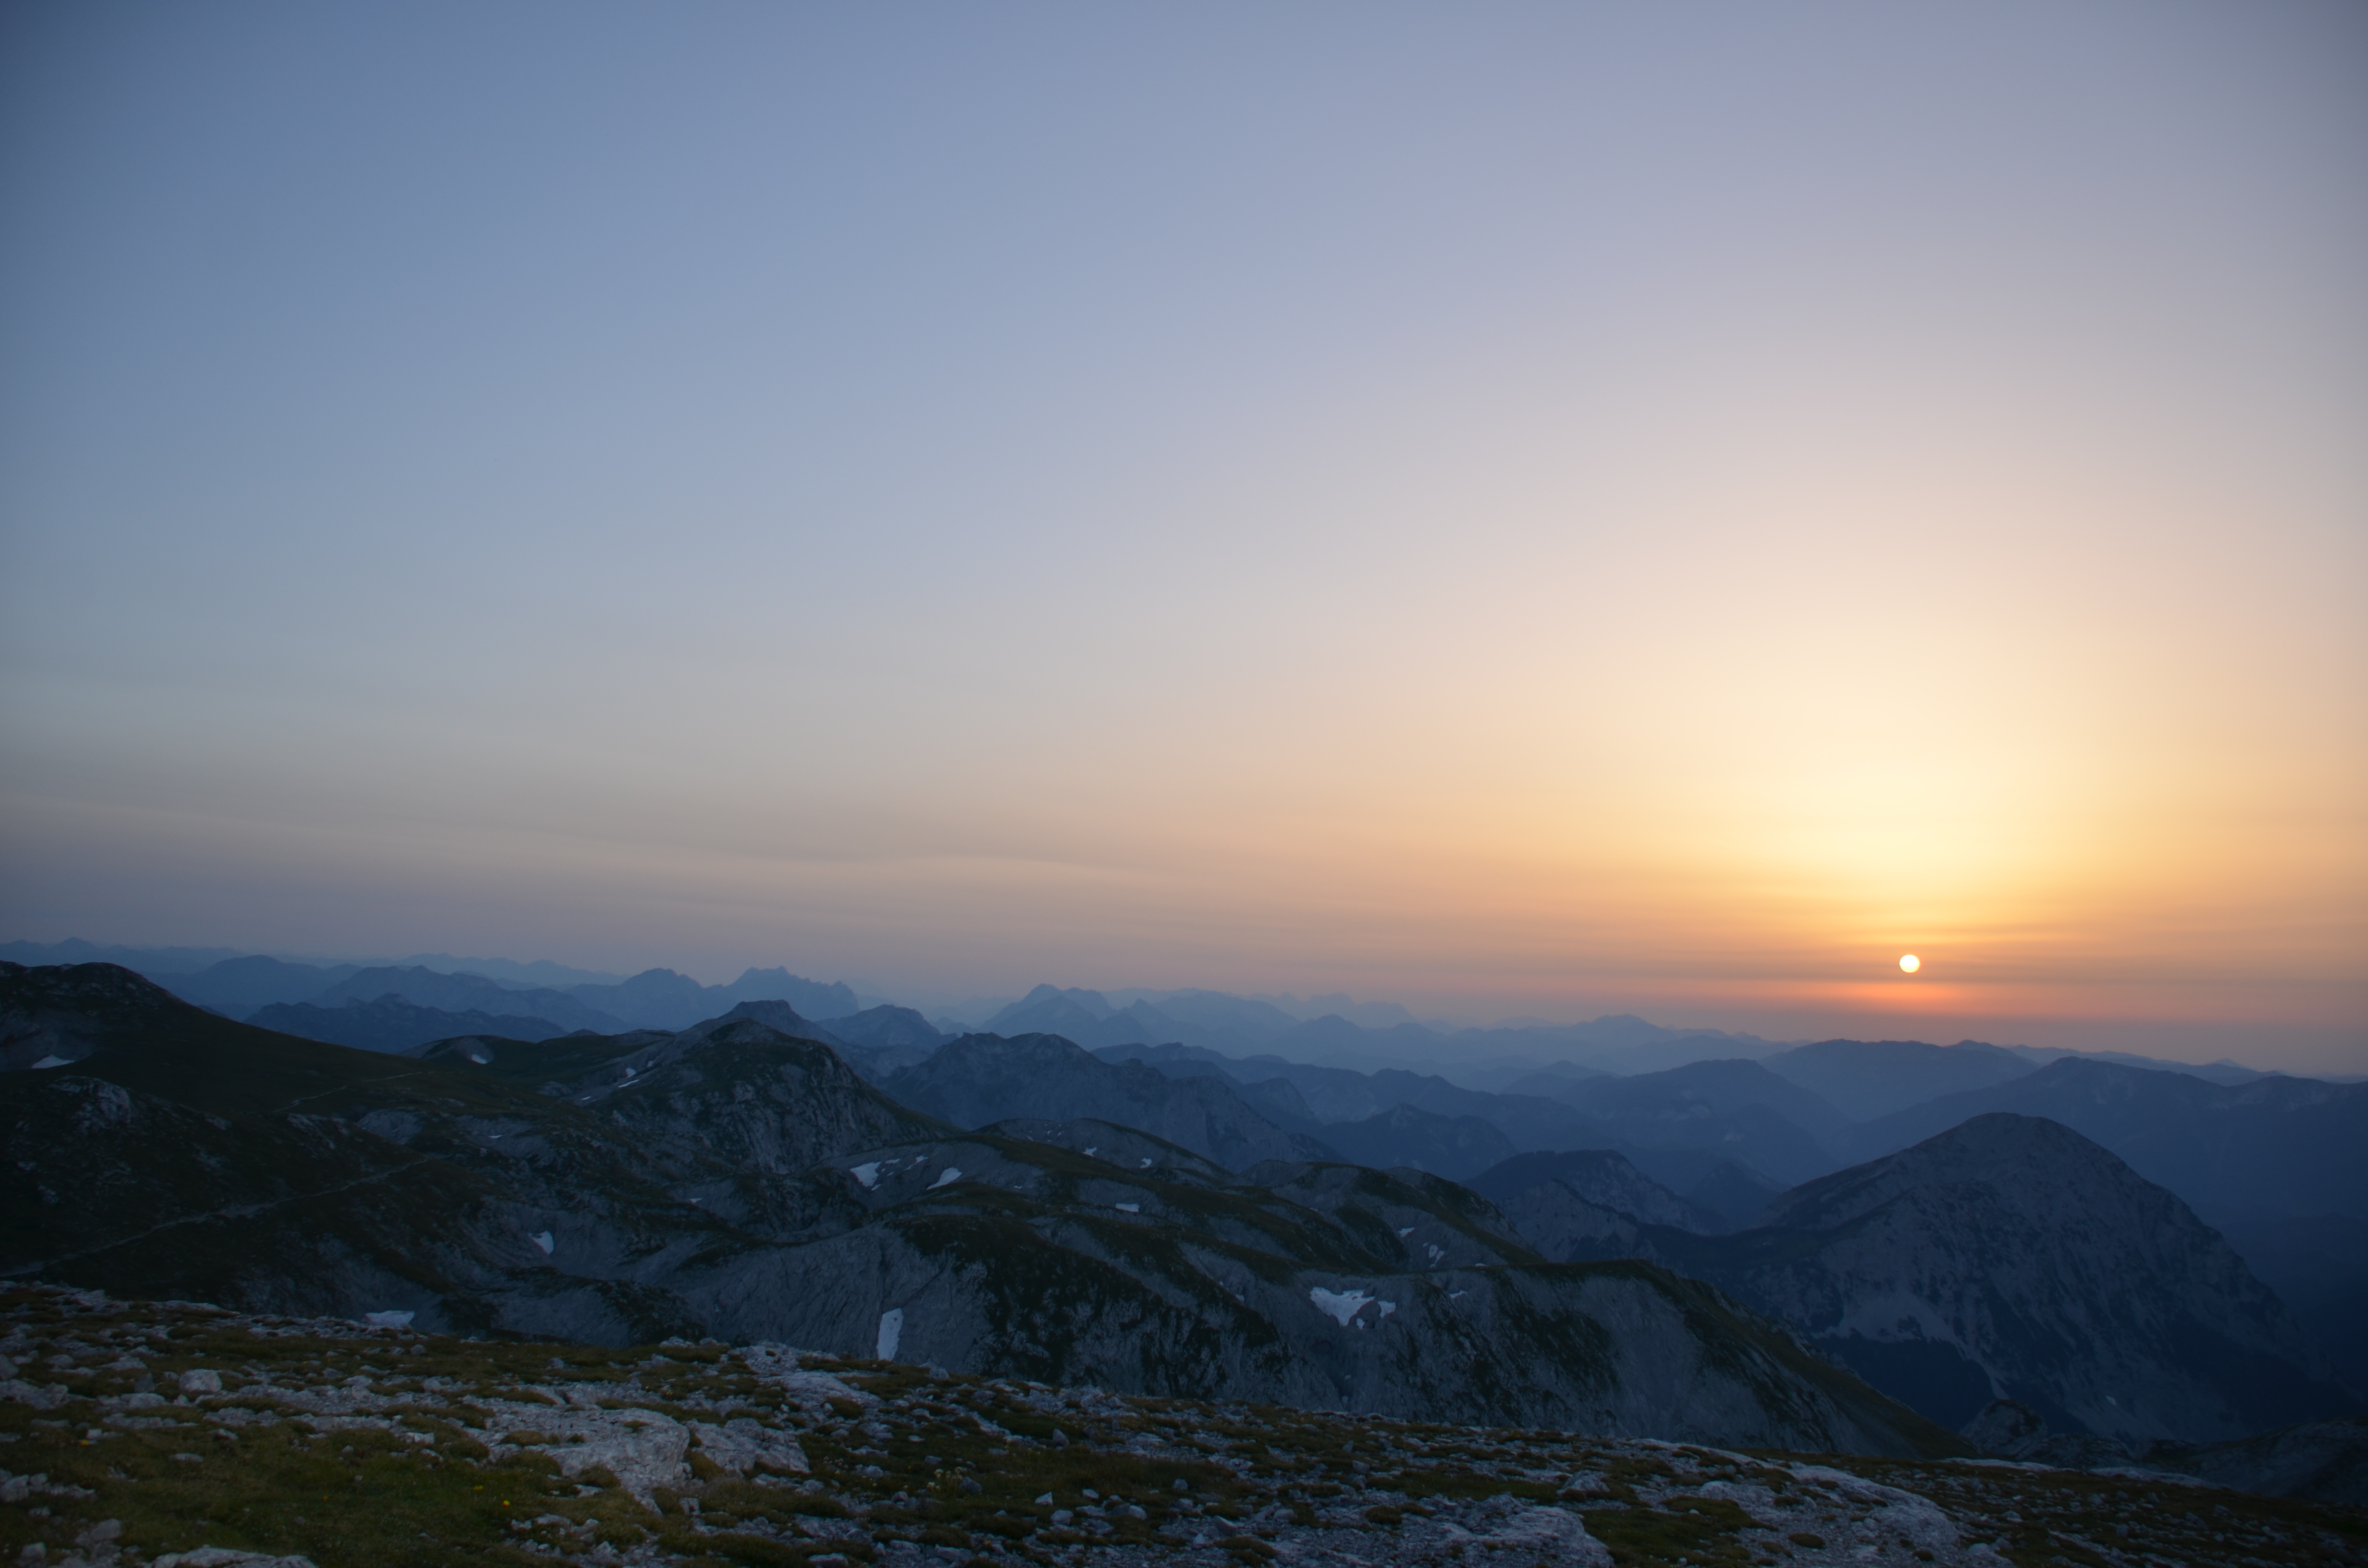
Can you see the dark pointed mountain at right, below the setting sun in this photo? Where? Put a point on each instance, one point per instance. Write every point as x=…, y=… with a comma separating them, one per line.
x=2016, y=1259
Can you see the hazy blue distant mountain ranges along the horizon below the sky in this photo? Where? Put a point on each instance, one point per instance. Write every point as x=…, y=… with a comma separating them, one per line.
x=2272, y=1162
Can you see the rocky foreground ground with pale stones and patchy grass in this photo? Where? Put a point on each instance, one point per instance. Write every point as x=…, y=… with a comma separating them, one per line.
x=186, y=1437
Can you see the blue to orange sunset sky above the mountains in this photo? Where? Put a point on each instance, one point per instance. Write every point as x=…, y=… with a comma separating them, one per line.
x=1502, y=508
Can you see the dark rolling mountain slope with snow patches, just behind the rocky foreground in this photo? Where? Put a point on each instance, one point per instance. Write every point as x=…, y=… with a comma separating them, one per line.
x=752, y=1185
